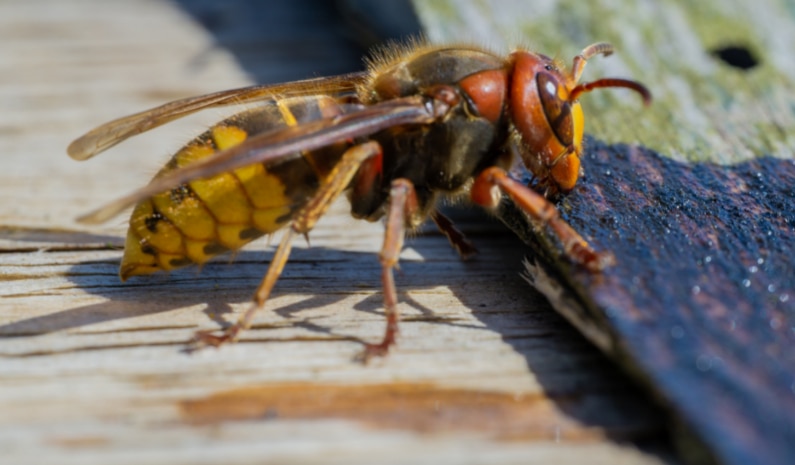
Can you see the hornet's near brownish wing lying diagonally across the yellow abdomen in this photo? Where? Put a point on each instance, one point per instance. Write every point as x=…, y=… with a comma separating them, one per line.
x=280, y=145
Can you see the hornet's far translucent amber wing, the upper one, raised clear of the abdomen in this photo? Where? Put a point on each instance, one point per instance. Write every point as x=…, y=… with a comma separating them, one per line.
x=109, y=134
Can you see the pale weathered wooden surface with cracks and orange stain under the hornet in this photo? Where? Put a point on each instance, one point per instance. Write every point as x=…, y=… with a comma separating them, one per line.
x=95, y=371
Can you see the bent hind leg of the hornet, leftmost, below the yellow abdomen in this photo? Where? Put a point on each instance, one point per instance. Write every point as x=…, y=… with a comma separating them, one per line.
x=302, y=223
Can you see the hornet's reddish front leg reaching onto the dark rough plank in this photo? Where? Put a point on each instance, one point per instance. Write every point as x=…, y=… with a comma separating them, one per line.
x=574, y=246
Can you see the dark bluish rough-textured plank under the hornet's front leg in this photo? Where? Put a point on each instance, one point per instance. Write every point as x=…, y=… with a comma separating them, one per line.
x=699, y=303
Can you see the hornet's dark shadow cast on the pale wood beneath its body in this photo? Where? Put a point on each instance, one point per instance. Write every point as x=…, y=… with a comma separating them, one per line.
x=325, y=276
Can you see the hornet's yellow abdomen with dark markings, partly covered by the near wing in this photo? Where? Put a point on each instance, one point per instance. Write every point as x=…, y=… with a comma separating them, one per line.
x=193, y=222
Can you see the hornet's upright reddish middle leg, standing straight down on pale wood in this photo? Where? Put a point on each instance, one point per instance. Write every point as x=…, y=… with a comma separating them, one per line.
x=402, y=205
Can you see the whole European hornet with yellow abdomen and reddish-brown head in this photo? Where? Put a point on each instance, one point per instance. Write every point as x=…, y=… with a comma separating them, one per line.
x=422, y=124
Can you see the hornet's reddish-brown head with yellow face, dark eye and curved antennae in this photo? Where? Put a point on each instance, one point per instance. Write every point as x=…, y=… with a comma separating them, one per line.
x=545, y=110
